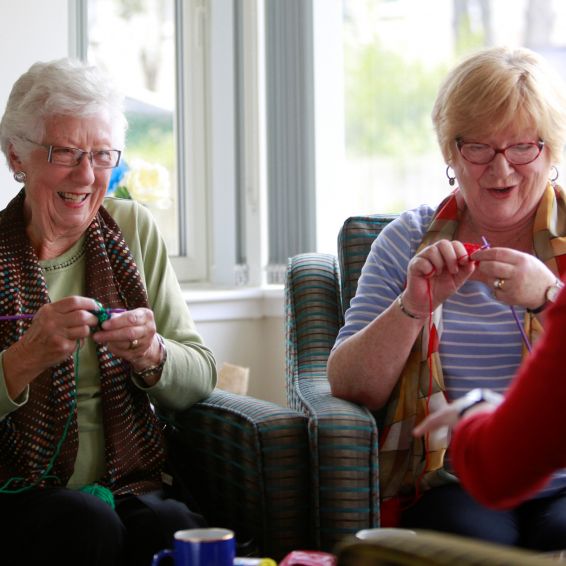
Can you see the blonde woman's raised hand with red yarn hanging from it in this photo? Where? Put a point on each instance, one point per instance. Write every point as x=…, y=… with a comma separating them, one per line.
x=445, y=266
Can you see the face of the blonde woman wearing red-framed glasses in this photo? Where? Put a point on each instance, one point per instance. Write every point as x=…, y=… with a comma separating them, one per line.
x=501, y=195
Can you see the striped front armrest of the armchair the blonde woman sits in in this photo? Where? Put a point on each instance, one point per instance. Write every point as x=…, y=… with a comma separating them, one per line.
x=344, y=455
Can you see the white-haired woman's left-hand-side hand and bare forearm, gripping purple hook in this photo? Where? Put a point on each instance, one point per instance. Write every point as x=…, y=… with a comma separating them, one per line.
x=51, y=338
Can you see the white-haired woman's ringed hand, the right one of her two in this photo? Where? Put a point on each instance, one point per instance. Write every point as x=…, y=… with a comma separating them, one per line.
x=132, y=336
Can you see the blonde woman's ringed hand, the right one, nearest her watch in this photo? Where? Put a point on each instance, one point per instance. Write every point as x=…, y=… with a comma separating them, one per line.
x=517, y=278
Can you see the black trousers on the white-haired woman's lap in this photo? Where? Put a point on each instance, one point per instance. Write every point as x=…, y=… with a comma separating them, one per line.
x=62, y=526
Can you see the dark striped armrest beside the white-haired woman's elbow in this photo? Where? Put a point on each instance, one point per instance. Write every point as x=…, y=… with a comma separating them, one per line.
x=246, y=463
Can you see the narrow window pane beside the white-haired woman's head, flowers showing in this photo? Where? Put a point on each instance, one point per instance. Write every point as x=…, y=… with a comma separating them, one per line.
x=134, y=40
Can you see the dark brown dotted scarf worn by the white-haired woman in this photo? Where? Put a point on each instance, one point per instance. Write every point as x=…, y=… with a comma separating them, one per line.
x=134, y=449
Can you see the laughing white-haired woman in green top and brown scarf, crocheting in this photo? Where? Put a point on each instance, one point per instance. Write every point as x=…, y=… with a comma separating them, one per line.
x=93, y=331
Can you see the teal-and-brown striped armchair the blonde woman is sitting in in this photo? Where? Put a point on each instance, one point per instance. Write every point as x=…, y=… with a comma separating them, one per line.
x=342, y=435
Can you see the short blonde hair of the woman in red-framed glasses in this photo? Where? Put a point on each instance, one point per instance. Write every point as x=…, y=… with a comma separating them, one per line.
x=496, y=88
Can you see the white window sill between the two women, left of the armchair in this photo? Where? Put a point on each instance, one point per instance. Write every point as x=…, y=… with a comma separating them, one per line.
x=241, y=303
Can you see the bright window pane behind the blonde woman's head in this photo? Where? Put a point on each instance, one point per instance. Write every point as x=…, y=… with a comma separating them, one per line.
x=395, y=54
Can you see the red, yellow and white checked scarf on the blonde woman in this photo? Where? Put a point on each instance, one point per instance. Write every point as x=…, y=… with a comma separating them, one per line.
x=406, y=464
